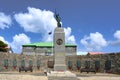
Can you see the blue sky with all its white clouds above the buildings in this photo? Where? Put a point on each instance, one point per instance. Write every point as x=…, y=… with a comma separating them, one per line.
x=94, y=25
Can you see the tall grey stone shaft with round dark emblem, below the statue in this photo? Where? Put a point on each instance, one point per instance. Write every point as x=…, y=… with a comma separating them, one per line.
x=59, y=49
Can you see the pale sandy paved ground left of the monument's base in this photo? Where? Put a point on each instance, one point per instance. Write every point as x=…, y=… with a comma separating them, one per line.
x=22, y=76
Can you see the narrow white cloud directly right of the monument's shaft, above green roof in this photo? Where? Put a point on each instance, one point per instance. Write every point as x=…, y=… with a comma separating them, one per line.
x=68, y=37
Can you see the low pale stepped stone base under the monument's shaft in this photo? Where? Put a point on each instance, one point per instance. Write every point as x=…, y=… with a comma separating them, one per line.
x=65, y=75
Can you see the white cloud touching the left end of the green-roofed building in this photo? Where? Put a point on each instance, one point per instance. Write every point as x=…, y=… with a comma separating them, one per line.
x=18, y=41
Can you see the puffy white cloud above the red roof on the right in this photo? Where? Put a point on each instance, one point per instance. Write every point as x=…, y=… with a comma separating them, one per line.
x=93, y=42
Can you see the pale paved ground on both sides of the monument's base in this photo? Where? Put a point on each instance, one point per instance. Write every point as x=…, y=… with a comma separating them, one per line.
x=41, y=76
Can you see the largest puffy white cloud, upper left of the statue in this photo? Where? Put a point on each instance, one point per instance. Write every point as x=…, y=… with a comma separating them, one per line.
x=36, y=20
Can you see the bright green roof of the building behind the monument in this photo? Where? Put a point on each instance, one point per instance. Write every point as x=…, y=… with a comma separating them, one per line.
x=45, y=44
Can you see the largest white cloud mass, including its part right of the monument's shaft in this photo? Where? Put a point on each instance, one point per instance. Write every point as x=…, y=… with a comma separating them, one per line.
x=41, y=21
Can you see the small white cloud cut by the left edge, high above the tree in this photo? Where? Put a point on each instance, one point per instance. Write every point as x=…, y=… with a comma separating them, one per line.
x=5, y=20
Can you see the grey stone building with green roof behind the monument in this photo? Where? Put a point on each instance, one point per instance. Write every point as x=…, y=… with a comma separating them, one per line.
x=46, y=48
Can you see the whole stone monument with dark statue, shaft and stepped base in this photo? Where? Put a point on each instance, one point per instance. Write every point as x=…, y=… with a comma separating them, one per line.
x=60, y=70
